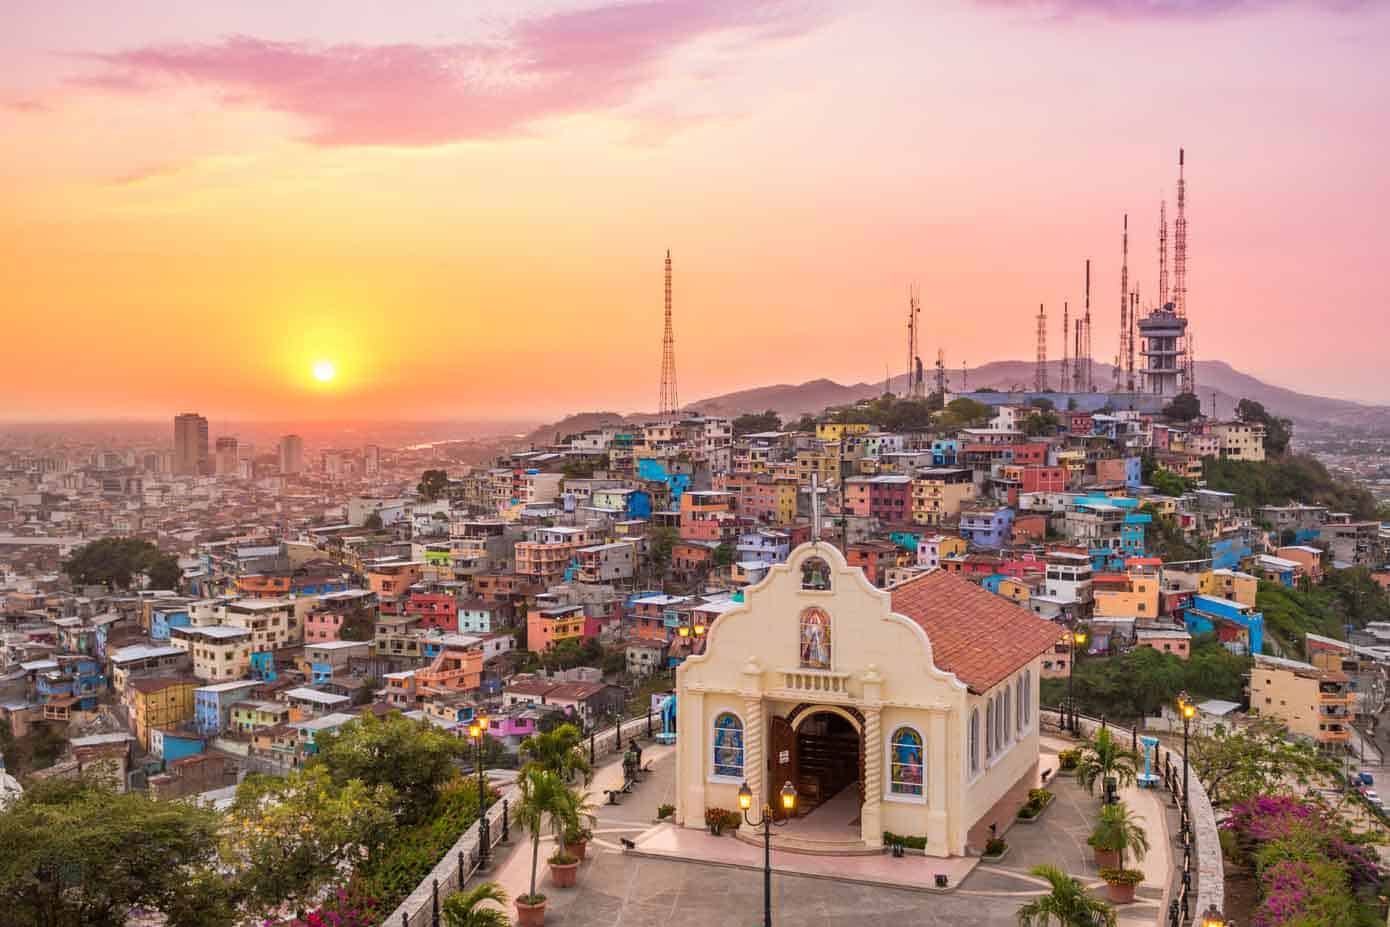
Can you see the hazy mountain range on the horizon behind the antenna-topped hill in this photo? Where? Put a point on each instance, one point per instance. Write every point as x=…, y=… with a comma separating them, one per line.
x=1220, y=386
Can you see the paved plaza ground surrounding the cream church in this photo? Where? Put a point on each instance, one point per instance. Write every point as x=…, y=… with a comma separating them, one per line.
x=715, y=882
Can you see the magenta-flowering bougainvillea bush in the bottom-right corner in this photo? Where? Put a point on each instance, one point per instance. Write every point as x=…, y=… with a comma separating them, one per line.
x=1313, y=873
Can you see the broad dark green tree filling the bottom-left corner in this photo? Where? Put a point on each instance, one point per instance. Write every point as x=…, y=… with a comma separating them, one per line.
x=76, y=854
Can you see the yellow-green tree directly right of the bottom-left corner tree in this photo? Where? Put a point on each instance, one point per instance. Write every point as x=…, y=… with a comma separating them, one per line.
x=288, y=837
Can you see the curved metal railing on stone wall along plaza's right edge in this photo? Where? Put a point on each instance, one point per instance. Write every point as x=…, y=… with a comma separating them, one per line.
x=1202, y=880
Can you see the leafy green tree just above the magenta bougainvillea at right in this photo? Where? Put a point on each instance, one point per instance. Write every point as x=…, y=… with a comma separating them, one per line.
x=1238, y=765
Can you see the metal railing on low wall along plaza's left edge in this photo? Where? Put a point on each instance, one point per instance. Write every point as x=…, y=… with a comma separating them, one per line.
x=454, y=871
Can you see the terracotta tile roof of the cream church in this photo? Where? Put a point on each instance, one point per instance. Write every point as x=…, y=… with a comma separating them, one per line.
x=981, y=637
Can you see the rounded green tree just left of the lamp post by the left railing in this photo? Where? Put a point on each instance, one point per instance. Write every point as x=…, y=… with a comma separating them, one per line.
x=412, y=758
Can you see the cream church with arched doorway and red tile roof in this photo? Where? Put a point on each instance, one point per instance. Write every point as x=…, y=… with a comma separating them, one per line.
x=917, y=705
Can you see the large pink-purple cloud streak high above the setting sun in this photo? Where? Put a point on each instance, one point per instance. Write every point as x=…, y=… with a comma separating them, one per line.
x=420, y=95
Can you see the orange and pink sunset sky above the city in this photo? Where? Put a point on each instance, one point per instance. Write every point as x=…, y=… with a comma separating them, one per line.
x=465, y=208
